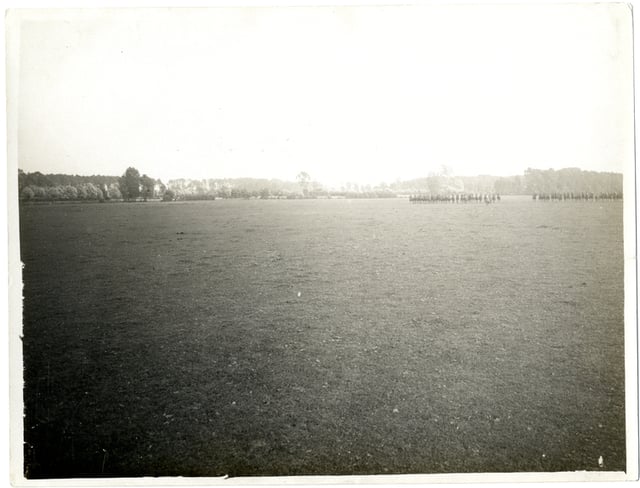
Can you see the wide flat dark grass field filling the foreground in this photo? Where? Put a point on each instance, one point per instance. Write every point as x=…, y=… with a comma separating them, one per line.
x=322, y=337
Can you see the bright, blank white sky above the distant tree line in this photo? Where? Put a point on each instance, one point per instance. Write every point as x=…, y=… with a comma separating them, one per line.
x=364, y=94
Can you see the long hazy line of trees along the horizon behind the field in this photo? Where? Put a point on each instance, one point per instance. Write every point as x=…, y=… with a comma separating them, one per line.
x=133, y=186
